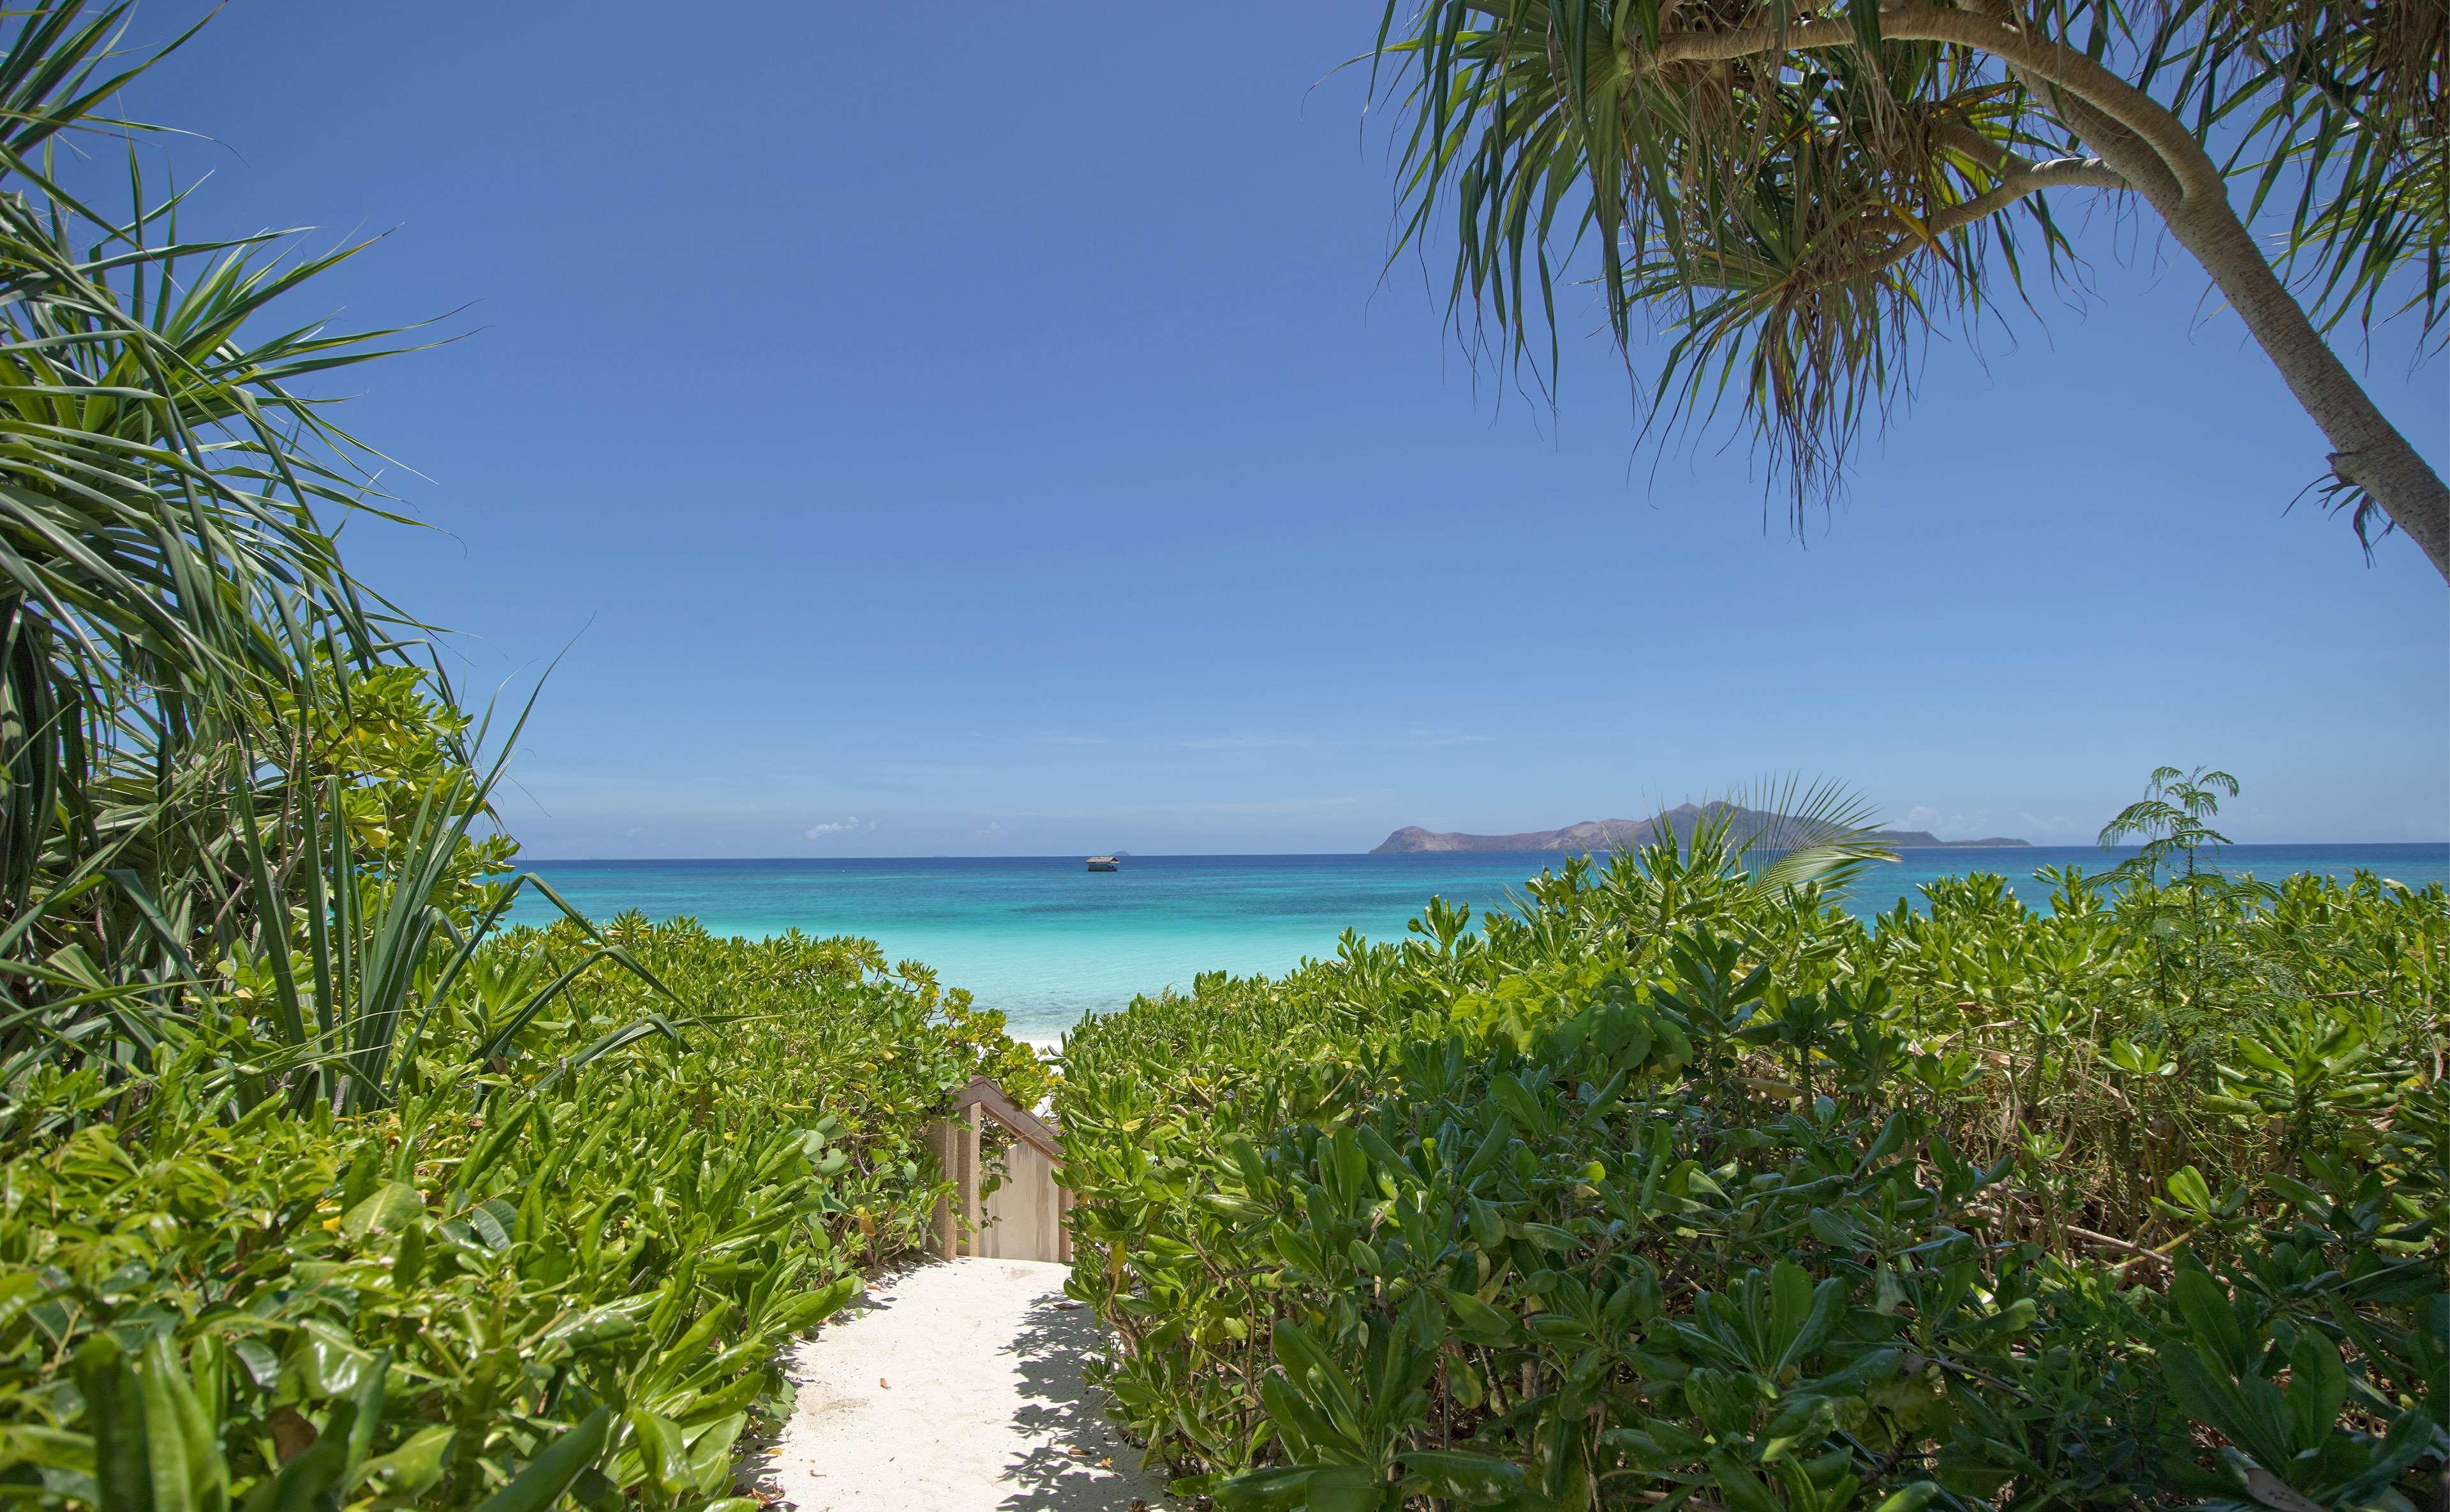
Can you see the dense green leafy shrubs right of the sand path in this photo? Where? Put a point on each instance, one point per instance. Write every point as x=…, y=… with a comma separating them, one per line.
x=1692, y=1190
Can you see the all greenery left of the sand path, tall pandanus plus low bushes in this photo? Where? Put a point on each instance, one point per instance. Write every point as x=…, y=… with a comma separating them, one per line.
x=317, y=1187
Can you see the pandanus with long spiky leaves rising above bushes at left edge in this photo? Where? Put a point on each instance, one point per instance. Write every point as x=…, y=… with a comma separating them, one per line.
x=222, y=776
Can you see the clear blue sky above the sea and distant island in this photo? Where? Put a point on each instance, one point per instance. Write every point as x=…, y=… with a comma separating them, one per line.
x=984, y=430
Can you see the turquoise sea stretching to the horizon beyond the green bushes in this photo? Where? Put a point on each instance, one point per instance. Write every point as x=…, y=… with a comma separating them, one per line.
x=1047, y=940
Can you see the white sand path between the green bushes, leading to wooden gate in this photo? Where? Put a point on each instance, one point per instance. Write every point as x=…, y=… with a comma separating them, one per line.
x=957, y=1388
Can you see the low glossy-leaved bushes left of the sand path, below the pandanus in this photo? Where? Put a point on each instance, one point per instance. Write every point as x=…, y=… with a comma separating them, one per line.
x=526, y=1278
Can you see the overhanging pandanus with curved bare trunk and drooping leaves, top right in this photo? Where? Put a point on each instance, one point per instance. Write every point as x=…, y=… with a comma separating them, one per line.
x=1797, y=192
